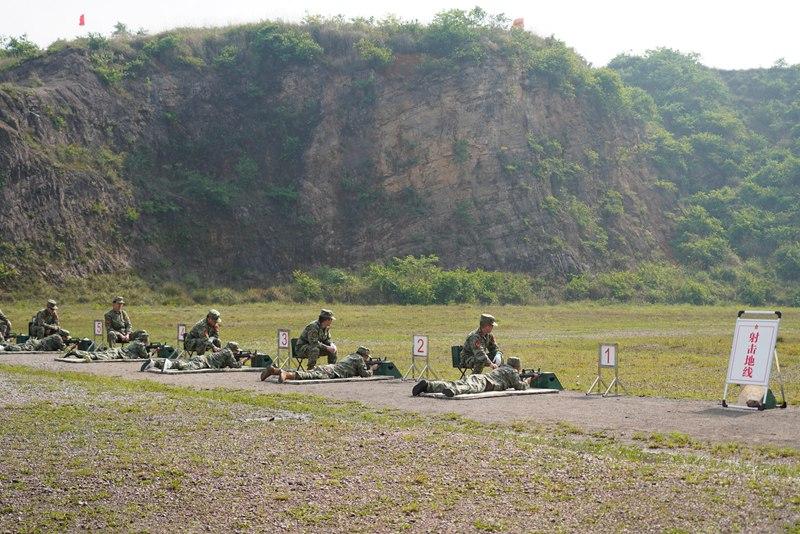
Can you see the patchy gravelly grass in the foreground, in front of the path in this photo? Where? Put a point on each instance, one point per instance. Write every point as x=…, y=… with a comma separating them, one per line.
x=82, y=452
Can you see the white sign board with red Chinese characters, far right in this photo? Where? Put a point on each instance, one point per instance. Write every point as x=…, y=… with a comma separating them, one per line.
x=752, y=351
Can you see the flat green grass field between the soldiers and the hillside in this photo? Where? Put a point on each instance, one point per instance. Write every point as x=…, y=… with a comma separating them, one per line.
x=666, y=351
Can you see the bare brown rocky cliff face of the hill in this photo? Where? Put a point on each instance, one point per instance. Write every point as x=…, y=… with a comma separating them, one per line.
x=242, y=170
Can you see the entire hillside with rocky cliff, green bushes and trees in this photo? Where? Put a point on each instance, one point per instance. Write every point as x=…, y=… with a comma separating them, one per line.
x=309, y=156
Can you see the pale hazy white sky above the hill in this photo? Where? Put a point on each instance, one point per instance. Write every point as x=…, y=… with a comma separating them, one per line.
x=730, y=34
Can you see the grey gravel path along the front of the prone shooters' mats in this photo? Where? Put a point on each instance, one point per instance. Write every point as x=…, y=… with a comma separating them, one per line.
x=622, y=416
